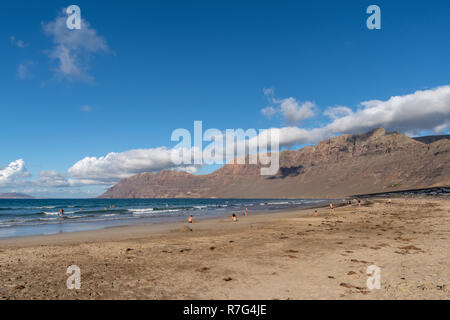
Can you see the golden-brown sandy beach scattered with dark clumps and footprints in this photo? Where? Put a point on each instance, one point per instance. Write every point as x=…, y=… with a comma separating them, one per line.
x=283, y=255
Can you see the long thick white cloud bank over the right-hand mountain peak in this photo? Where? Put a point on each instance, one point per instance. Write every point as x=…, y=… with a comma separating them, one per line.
x=423, y=110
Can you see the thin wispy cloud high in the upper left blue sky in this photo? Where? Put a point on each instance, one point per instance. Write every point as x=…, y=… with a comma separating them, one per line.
x=73, y=49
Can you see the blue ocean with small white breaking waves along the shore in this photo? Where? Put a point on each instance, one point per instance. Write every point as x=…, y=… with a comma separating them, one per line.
x=29, y=217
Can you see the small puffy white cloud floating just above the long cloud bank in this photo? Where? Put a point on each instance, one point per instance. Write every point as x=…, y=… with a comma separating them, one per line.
x=292, y=111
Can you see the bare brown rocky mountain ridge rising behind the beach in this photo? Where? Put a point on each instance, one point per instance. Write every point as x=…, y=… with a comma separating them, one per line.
x=346, y=165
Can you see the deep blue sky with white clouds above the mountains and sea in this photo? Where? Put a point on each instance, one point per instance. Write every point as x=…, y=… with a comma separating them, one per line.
x=144, y=68
